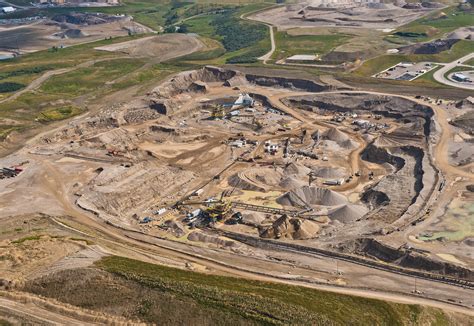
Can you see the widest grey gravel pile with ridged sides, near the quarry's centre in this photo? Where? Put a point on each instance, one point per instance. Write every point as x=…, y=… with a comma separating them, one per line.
x=311, y=196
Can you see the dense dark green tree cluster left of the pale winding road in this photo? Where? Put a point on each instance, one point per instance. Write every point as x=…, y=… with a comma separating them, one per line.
x=236, y=35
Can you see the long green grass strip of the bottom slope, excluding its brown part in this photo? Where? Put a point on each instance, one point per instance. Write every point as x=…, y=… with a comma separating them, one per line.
x=269, y=303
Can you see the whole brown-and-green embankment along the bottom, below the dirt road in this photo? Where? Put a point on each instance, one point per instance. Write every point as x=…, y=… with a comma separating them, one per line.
x=170, y=296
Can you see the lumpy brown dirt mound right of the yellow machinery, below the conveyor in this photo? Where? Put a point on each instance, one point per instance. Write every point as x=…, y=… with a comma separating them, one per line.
x=290, y=228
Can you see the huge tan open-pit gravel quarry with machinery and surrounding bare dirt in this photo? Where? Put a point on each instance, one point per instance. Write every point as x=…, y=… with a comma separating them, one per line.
x=303, y=171
